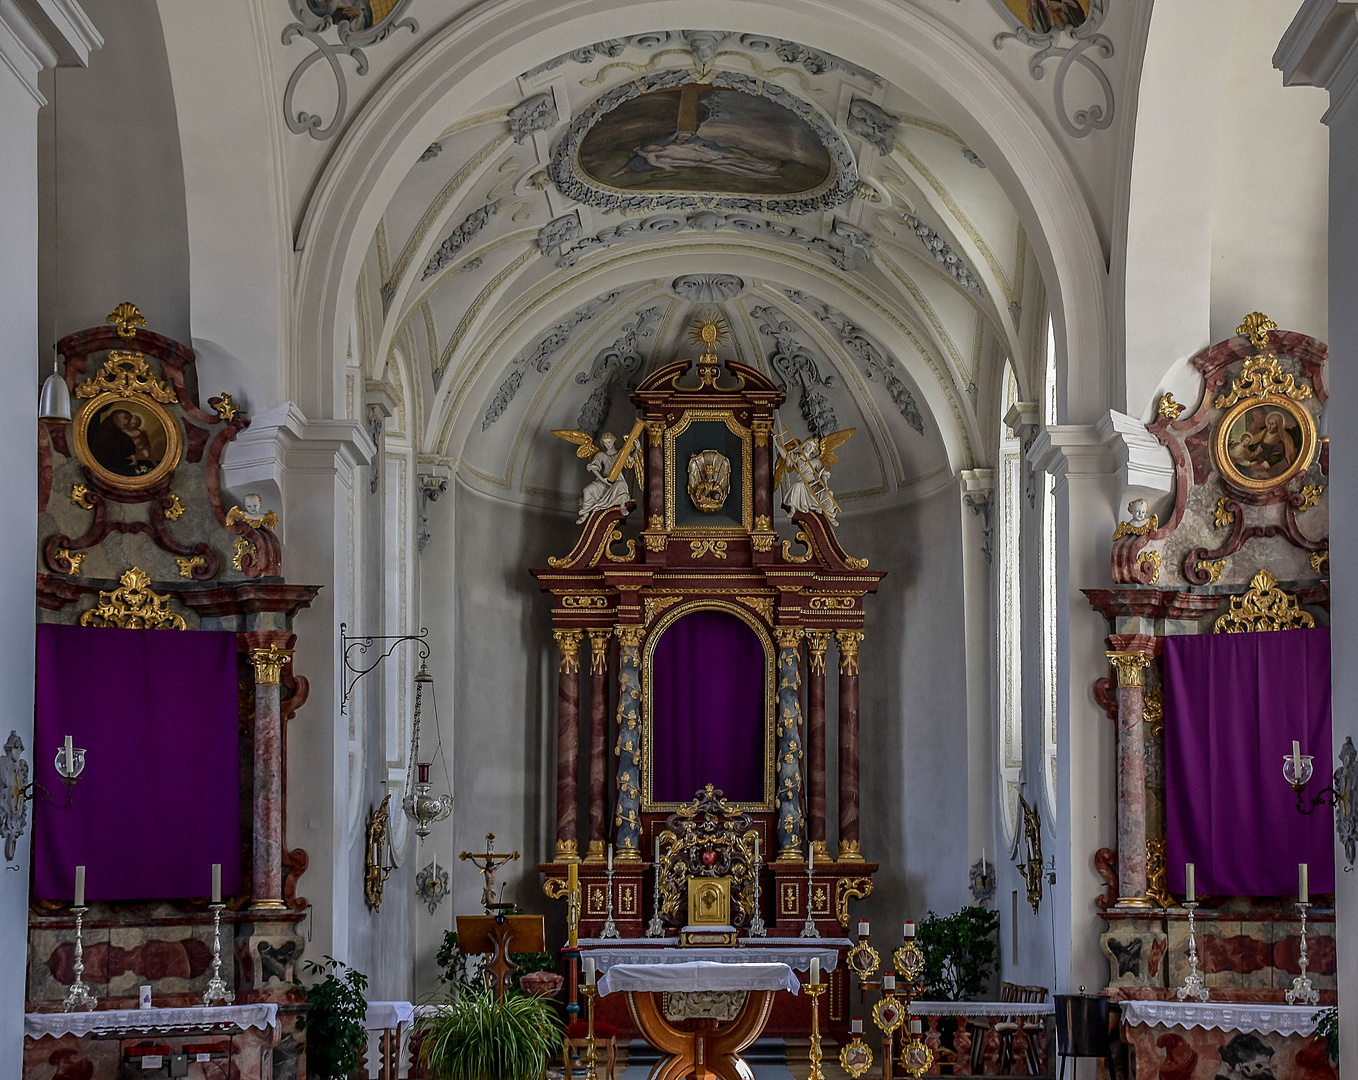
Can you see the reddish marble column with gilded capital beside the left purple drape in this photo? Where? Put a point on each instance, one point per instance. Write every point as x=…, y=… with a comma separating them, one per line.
x=267, y=877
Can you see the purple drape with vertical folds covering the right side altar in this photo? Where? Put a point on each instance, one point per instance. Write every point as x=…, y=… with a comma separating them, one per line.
x=1234, y=706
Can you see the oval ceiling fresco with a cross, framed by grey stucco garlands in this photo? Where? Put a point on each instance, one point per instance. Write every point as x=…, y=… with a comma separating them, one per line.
x=701, y=139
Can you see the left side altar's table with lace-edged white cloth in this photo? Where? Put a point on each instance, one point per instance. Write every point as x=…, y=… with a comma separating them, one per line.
x=237, y=1041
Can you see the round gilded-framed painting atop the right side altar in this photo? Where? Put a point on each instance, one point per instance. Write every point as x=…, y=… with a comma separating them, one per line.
x=1262, y=444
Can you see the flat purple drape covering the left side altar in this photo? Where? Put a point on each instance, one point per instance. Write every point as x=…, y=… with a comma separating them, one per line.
x=160, y=801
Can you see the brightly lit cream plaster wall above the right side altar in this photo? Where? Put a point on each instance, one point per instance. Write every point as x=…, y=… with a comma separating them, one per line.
x=1270, y=207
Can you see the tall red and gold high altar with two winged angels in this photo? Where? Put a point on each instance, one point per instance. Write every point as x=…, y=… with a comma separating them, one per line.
x=708, y=641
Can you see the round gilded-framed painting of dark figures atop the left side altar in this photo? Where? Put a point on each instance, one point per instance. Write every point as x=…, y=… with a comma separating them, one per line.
x=128, y=441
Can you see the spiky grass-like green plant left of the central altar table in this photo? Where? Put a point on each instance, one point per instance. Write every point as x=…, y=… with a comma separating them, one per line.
x=475, y=1037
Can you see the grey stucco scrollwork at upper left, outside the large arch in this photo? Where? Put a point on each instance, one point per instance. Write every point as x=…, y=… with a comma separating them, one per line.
x=356, y=28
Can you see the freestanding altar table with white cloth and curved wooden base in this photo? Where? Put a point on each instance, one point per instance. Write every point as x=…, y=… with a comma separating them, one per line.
x=701, y=1048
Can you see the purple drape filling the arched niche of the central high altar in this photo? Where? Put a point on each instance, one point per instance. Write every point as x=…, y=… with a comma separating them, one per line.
x=708, y=710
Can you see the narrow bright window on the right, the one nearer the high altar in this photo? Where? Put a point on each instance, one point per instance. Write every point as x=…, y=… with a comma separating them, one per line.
x=1010, y=646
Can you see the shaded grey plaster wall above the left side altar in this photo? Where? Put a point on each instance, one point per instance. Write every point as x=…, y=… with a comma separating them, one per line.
x=120, y=195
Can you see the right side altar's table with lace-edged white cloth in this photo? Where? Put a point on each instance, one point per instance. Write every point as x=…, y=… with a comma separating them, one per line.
x=1197, y=1041
